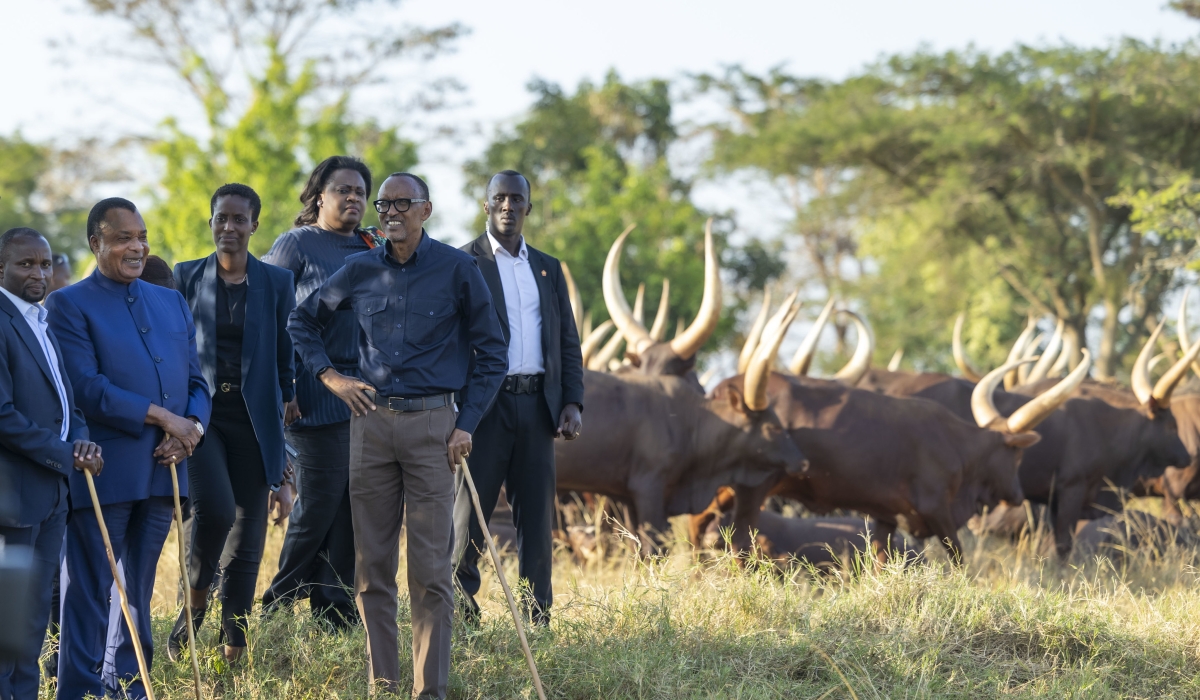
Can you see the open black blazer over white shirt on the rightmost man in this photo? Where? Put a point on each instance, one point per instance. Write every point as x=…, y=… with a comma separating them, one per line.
x=560, y=339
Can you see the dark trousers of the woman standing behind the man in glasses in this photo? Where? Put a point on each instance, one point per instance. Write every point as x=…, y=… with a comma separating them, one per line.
x=317, y=560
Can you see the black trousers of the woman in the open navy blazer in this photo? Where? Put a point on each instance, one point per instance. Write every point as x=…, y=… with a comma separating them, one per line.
x=229, y=494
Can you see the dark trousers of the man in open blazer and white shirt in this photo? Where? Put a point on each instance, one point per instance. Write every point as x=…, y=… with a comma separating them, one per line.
x=514, y=447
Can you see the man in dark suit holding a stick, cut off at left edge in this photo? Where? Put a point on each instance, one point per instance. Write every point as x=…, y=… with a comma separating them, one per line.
x=43, y=436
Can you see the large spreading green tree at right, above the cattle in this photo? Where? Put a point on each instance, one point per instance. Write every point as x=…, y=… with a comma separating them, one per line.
x=1013, y=158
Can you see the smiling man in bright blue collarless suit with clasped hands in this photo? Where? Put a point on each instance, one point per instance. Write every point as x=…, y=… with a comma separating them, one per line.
x=130, y=351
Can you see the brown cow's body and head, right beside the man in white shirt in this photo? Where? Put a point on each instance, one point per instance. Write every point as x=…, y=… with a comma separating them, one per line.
x=661, y=446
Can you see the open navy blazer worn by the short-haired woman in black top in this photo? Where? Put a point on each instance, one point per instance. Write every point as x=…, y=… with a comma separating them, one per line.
x=267, y=357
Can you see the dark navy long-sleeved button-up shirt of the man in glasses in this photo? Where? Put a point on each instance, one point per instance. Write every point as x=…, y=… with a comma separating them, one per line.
x=421, y=322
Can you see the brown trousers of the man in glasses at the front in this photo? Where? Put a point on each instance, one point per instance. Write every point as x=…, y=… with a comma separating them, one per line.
x=399, y=460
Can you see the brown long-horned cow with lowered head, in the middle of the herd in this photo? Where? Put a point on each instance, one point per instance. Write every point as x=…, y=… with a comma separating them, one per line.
x=903, y=459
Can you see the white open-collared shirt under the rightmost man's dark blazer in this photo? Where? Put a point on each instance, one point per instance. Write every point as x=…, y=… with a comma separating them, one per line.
x=524, y=304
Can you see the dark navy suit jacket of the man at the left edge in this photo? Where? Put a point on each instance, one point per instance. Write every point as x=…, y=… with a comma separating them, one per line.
x=33, y=458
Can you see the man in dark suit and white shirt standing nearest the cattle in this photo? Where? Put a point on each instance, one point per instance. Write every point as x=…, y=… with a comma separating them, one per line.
x=542, y=397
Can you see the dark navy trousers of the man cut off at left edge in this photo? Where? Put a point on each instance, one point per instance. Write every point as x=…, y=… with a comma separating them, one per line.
x=20, y=678
